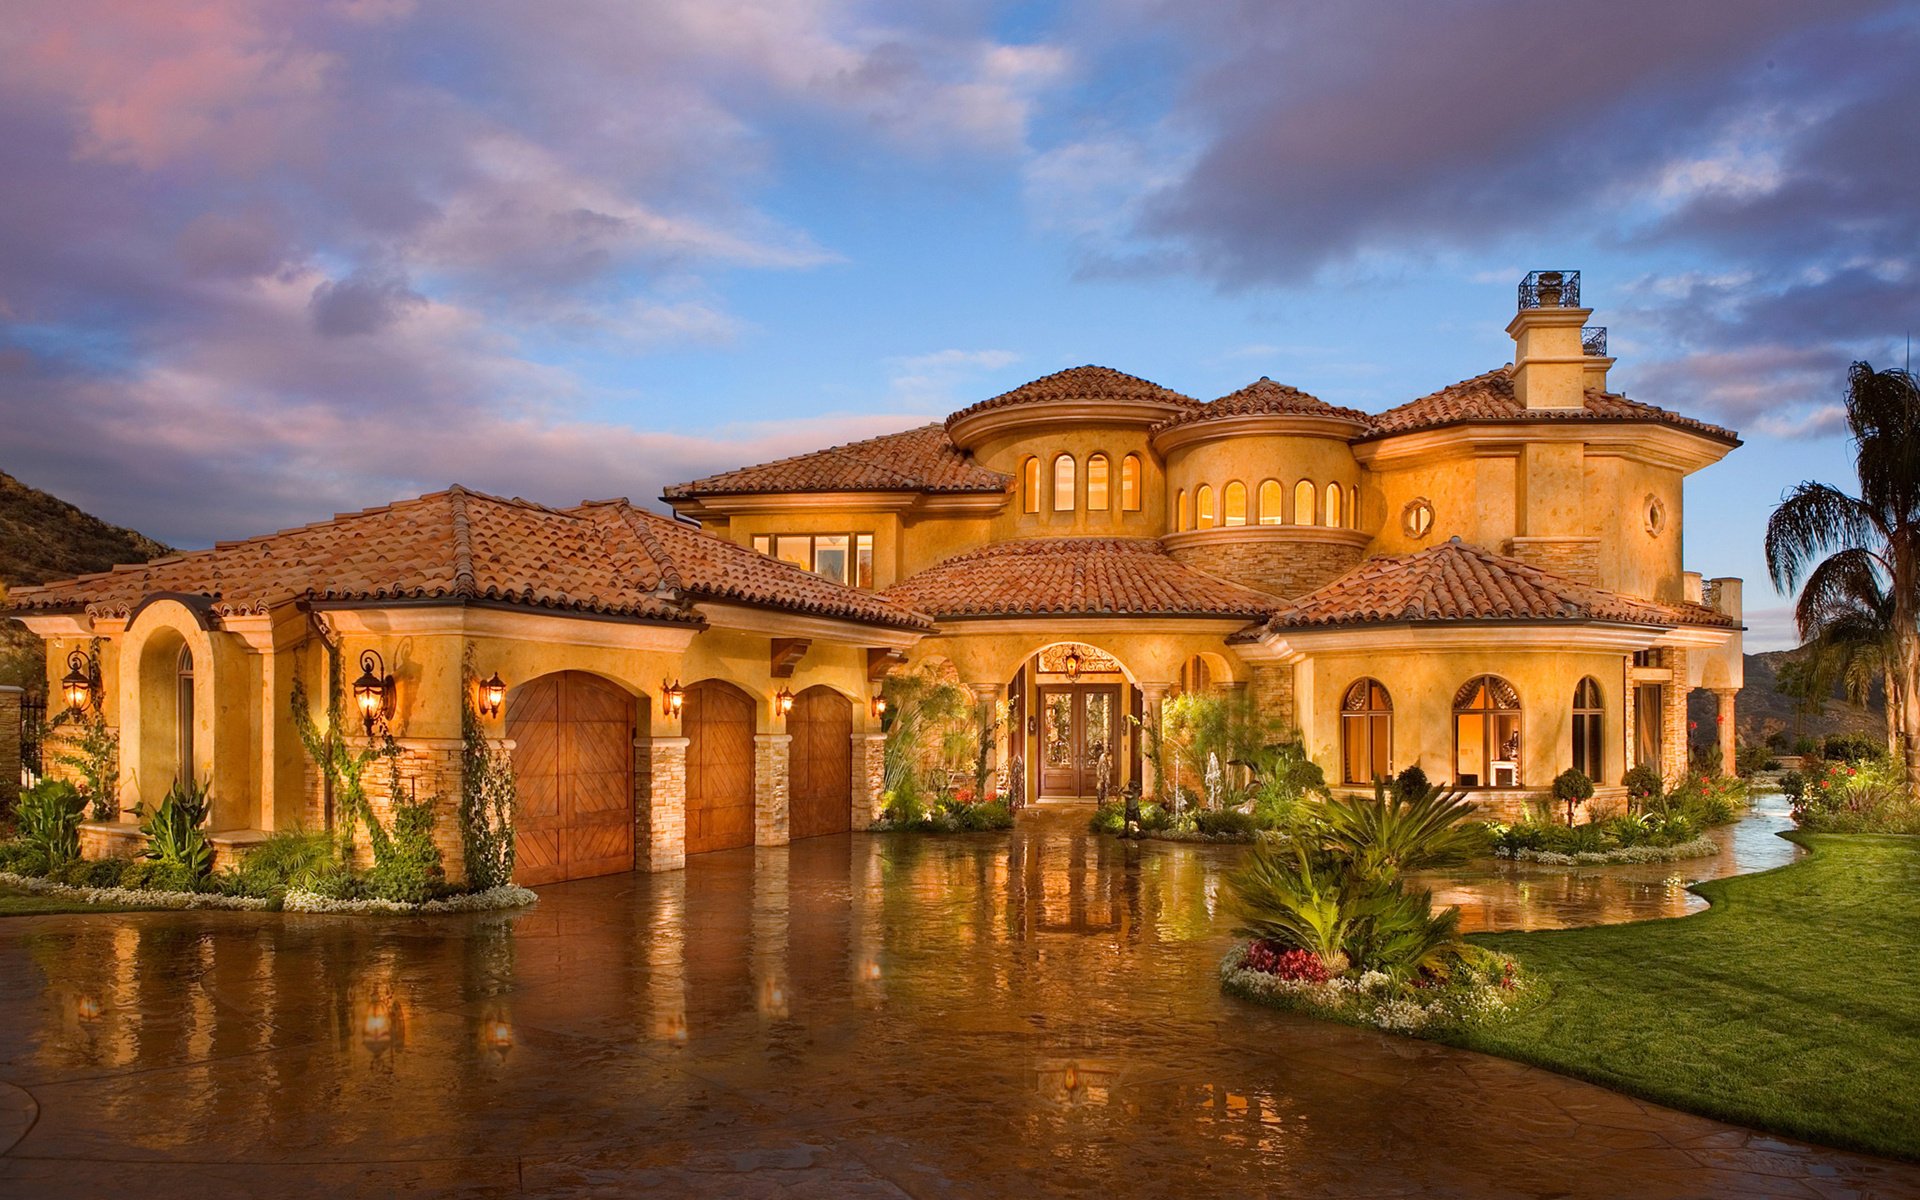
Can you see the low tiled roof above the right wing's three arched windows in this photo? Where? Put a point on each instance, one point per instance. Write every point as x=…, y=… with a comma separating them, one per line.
x=1464, y=583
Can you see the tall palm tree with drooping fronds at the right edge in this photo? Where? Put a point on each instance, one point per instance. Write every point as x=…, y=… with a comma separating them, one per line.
x=1875, y=537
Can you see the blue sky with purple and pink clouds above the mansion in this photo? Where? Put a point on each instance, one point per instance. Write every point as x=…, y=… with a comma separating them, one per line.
x=268, y=260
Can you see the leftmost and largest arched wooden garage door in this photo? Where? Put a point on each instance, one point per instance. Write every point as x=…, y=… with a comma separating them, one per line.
x=573, y=759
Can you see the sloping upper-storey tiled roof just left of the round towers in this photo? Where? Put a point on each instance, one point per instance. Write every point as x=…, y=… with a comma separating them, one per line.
x=921, y=460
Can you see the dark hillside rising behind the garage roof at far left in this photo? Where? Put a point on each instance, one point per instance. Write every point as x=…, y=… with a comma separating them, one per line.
x=47, y=539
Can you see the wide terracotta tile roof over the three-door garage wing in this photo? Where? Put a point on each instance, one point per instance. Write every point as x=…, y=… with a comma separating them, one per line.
x=466, y=546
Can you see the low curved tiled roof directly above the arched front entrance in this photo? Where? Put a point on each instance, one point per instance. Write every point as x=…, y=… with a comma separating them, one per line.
x=1057, y=577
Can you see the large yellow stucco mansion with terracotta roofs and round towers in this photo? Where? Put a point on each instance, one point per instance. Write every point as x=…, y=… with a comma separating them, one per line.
x=1485, y=583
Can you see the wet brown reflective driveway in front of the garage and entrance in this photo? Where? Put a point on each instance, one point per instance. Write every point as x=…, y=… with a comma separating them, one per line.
x=852, y=1017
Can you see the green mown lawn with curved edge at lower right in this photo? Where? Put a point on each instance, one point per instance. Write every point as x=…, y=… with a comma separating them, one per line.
x=1792, y=1005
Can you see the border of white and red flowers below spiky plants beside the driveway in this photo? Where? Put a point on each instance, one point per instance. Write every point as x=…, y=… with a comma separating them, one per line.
x=1474, y=992
